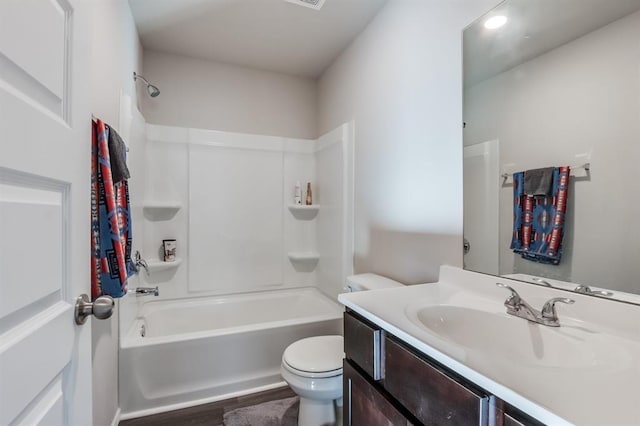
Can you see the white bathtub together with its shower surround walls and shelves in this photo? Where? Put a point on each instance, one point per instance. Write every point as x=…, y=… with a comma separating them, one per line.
x=256, y=273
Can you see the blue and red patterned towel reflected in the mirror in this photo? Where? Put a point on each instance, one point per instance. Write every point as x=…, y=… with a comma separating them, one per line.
x=538, y=218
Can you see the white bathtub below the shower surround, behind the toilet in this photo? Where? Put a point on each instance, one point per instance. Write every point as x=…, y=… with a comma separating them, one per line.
x=201, y=350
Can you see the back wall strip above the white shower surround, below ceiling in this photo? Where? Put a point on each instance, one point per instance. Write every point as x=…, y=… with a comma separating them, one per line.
x=212, y=95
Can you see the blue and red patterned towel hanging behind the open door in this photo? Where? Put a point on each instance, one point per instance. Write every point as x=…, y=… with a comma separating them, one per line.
x=111, y=263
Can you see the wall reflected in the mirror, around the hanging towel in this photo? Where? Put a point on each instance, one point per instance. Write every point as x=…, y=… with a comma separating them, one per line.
x=583, y=97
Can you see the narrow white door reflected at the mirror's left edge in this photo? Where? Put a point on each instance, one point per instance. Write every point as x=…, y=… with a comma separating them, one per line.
x=481, y=192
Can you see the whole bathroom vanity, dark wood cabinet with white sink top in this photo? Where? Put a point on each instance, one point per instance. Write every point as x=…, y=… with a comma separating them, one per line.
x=448, y=353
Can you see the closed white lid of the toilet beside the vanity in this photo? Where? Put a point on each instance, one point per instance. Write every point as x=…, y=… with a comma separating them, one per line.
x=315, y=354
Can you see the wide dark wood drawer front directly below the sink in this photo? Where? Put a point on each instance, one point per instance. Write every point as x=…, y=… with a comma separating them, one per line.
x=427, y=392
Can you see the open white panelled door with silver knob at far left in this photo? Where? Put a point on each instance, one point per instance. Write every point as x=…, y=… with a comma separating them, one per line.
x=45, y=358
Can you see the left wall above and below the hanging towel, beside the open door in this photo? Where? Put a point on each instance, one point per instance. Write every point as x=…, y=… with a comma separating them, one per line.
x=115, y=55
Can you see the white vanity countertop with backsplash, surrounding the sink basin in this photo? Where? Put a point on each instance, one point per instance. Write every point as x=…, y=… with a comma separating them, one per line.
x=604, y=393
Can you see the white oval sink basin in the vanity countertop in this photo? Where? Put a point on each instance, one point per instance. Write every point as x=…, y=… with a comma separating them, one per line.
x=499, y=336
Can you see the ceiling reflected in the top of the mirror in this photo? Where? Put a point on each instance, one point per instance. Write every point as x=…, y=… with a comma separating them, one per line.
x=534, y=28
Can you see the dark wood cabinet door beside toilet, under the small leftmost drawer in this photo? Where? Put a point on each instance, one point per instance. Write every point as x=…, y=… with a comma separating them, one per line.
x=364, y=405
